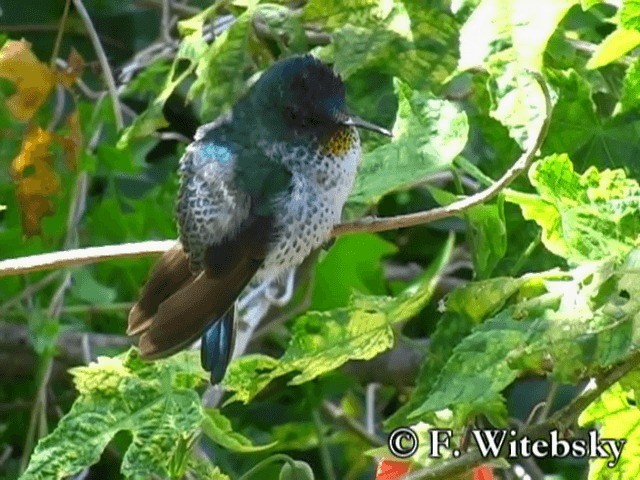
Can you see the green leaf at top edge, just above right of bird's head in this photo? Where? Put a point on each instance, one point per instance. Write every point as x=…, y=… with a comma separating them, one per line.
x=414, y=41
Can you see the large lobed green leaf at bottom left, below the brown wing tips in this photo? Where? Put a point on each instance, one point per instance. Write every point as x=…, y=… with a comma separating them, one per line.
x=155, y=402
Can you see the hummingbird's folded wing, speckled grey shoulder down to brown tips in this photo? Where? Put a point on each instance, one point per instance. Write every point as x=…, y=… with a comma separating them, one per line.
x=224, y=239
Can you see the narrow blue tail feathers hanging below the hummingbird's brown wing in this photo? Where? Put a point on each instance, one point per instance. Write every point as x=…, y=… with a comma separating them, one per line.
x=217, y=346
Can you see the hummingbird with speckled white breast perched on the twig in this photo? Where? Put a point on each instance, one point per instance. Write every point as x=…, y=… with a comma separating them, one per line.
x=260, y=189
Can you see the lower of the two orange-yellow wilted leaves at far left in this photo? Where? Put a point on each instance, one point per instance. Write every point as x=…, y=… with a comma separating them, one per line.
x=35, y=178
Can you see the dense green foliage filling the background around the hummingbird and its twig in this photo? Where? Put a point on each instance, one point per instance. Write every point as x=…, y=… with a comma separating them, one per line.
x=486, y=313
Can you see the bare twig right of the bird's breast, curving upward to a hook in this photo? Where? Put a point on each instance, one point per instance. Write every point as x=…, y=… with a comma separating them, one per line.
x=376, y=224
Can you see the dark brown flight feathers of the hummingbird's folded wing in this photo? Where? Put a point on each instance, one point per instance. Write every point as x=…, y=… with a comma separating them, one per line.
x=181, y=317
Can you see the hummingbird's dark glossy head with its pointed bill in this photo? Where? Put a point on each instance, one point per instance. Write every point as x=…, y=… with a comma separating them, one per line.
x=301, y=98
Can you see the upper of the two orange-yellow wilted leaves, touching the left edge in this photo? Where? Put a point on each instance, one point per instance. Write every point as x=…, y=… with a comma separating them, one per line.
x=32, y=78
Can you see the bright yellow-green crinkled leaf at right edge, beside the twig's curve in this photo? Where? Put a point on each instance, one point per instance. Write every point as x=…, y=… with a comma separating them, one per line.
x=583, y=217
